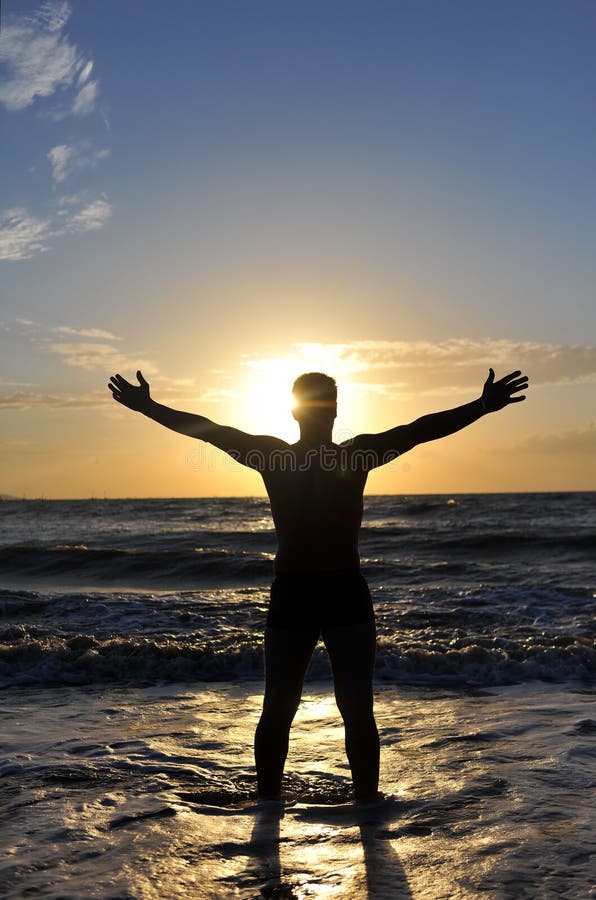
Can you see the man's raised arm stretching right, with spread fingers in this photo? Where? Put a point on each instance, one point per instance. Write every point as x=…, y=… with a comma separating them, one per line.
x=495, y=395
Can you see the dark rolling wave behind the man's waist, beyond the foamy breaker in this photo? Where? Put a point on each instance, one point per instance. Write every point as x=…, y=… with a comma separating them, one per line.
x=249, y=556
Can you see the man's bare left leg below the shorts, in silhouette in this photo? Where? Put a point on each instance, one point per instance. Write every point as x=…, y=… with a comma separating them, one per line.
x=287, y=655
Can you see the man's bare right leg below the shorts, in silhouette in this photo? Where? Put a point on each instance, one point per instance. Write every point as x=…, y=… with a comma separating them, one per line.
x=351, y=650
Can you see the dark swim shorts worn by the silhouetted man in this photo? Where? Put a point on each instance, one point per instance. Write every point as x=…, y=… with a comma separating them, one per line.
x=307, y=601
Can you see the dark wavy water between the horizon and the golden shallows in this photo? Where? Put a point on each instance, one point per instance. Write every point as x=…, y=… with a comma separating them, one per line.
x=473, y=588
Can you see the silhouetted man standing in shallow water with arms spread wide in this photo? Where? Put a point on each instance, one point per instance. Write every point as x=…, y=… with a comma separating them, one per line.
x=316, y=492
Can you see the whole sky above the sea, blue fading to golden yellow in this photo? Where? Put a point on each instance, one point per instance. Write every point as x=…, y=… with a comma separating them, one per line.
x=197, y=186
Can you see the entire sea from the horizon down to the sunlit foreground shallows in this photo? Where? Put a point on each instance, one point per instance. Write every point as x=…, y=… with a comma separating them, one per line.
x=131, y=674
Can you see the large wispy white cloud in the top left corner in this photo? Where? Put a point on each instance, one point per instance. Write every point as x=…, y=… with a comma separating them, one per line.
x=40, y=58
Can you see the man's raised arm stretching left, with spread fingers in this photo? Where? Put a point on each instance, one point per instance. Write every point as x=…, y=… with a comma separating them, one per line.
x=245, y=448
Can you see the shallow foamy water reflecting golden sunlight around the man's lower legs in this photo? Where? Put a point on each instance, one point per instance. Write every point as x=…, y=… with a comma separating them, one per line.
x=146, y=792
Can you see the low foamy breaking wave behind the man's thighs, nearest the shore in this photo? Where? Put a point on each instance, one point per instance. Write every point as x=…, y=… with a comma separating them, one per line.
x=85, y=659
